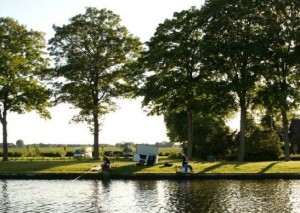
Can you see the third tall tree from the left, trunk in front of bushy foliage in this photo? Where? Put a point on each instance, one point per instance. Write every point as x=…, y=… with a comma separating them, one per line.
x=172, y=64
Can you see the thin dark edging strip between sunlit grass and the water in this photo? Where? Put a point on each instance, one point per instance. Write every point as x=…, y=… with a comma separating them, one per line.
x=150, y=176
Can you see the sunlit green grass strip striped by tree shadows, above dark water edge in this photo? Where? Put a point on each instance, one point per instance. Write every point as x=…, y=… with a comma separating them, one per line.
x=128, y=166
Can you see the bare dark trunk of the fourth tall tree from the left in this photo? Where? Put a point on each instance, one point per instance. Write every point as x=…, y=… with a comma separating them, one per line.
x=241, y=151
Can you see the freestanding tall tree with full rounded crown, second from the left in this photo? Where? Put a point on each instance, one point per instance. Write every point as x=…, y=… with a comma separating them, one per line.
x=90, y=54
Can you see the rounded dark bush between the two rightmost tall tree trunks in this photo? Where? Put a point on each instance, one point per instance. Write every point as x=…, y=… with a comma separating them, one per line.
x=263, y=145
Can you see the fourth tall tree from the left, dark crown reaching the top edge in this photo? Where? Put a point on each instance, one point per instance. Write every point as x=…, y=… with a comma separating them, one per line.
x=232, y=45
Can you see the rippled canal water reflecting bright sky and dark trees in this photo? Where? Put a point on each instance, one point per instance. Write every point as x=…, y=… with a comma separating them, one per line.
x=150, y=196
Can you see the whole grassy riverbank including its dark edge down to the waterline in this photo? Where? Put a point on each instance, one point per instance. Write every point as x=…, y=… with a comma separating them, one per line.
x=127, y=169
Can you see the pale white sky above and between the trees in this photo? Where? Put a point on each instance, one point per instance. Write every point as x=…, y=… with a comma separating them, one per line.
x=129, y=123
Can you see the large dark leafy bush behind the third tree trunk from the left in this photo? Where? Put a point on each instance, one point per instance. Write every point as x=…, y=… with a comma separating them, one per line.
x=211, y=136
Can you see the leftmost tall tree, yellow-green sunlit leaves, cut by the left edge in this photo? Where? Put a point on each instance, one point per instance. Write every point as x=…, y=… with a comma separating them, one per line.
x=21, y=63
